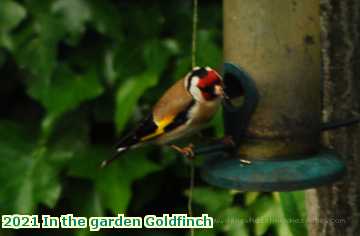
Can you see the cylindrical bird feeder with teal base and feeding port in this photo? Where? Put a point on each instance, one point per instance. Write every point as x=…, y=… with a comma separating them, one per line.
x=277, y=45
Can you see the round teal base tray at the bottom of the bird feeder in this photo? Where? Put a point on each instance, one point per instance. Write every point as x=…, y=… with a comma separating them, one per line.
x=273, y=175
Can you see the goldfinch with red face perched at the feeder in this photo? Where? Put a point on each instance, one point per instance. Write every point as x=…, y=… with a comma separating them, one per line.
x=185, y=108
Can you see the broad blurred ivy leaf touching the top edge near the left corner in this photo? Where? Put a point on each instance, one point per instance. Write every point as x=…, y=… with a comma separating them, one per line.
x=36, y=45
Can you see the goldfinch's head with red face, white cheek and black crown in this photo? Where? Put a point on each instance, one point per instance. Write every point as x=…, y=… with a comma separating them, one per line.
x=204, y=84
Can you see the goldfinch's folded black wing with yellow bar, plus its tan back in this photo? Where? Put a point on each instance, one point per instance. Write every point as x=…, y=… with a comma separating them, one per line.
x=169, y=113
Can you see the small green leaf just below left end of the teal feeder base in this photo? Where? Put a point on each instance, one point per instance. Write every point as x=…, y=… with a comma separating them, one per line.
x=212, y=199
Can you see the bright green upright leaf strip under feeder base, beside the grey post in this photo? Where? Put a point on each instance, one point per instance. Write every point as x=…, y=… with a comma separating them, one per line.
x=293, y=207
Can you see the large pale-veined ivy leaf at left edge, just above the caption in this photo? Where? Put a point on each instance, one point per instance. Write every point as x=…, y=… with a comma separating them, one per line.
x=29, y=171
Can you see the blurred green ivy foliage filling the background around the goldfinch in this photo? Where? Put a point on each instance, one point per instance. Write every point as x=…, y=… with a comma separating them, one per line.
x=75, y=75
